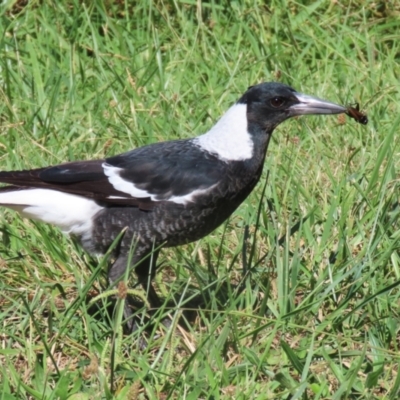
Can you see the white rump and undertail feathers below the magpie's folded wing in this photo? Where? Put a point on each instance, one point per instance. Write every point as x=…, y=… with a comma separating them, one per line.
x=73, y=214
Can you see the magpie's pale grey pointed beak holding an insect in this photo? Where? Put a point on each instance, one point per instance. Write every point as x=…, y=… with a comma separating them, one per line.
x=313, y=105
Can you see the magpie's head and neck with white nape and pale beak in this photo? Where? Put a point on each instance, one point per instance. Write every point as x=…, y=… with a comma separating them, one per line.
x=244, y=130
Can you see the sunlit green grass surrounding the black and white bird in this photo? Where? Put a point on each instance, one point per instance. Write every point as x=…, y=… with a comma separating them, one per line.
x=319, y=315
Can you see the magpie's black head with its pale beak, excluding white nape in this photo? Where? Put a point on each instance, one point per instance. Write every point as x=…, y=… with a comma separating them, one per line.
x=270, y=103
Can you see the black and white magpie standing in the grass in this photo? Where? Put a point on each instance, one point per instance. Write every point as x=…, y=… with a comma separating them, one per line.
x=164, y=194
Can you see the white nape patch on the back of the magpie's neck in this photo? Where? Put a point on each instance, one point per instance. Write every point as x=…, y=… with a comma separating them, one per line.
x=229, y=137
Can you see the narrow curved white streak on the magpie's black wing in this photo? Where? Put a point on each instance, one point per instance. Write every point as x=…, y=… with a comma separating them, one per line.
x=122, y=185
